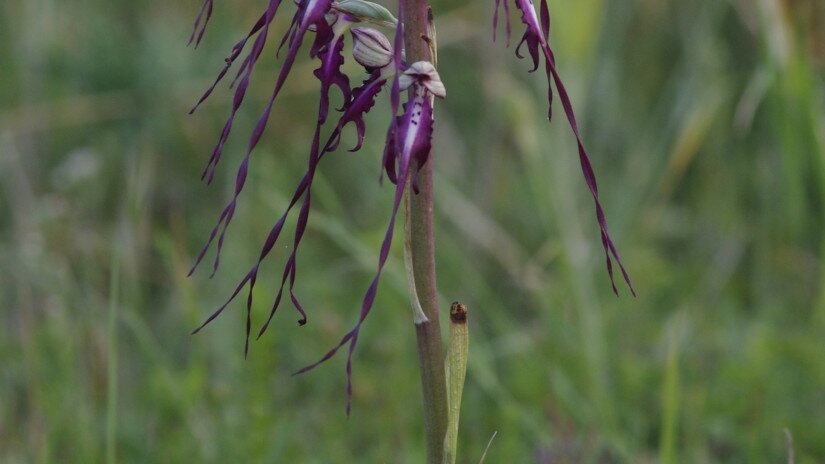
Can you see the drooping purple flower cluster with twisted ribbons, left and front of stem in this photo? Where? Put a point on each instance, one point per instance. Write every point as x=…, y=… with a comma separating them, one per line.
x=408, y=136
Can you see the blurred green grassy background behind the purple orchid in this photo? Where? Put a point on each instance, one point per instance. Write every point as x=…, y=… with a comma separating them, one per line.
x=706, y=124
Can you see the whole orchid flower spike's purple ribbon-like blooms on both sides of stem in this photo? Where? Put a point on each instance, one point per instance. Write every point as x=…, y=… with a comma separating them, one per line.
x=408, y=137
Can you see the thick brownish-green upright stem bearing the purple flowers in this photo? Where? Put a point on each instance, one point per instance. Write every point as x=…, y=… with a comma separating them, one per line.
x=422, y=238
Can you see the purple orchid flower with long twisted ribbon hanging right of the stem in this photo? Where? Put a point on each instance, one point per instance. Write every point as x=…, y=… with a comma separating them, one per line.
x=536, y=36
